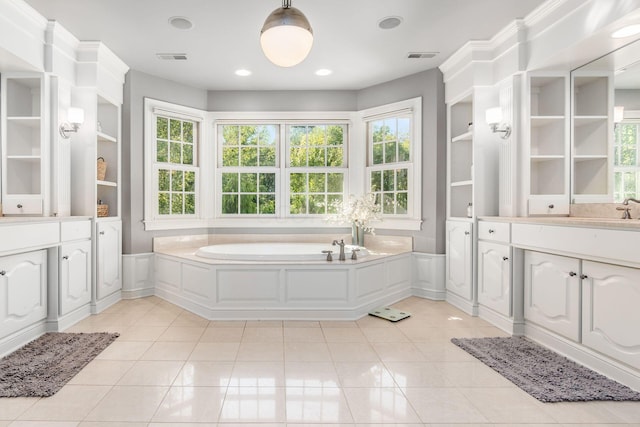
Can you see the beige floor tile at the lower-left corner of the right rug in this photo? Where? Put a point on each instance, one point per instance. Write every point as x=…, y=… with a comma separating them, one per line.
x=507, y=405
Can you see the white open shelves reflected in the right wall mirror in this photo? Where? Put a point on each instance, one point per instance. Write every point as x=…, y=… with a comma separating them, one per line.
x=591, y=137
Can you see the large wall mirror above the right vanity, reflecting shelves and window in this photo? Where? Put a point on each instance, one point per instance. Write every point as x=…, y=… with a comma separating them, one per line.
x=595, y=176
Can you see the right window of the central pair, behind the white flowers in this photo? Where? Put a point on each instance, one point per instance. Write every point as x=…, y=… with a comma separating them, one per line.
x=316, y=168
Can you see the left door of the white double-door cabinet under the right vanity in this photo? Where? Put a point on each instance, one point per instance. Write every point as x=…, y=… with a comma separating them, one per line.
x=552, y=293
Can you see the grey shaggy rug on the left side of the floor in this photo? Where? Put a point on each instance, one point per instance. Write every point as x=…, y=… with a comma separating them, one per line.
x=42, y=367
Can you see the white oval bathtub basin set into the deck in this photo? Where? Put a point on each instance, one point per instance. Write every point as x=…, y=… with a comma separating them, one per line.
x=276, y=251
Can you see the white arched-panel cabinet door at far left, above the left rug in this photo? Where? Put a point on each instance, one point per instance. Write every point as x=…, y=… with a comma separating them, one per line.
x=23, y=290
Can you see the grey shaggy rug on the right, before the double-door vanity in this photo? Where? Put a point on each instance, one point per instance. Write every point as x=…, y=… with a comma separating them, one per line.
x=542, y=373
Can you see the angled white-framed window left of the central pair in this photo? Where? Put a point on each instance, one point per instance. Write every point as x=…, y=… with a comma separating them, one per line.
x=173, y=137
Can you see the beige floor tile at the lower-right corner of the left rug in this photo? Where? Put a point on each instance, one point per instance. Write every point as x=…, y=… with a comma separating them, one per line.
x=71, y=403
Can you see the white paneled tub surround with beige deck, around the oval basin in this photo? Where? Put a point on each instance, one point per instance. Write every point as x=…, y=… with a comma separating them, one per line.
x=296, y=290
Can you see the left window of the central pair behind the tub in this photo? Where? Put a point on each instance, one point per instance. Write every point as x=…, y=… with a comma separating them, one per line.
x=248, y=159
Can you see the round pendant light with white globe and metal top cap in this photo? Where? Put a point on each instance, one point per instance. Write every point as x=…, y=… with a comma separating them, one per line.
x=286, y=37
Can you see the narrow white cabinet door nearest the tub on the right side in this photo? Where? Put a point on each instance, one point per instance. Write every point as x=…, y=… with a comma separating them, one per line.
x=459, y=258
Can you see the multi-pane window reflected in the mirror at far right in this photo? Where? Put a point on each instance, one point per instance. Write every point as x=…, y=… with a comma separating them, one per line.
x=626, y=162
